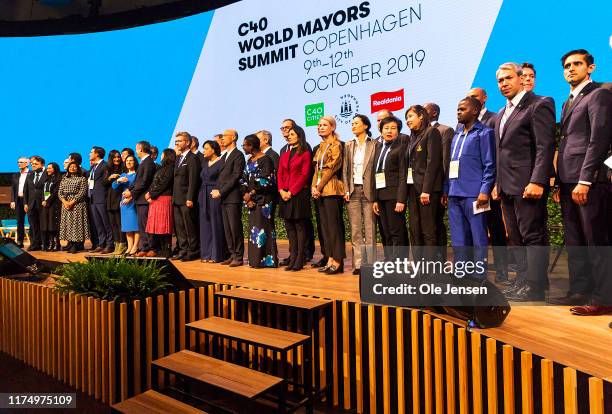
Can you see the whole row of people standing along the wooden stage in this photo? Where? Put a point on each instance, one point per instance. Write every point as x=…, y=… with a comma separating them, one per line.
x=492, y=173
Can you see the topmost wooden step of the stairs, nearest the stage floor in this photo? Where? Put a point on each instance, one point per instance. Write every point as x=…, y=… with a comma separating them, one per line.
x=283, y=299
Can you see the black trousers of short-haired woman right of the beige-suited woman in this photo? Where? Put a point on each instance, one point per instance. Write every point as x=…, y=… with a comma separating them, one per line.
x=393, y=226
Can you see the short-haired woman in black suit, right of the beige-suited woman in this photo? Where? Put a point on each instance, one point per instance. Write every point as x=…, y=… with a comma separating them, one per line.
x=388, y=185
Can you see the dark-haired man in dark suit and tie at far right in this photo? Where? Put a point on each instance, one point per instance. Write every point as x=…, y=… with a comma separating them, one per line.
x=586, y=138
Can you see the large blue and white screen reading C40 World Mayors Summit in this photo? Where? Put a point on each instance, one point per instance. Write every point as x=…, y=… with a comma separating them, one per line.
x=249, y=65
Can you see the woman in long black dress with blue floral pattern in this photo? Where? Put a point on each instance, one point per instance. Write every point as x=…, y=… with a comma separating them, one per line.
x=258, y=187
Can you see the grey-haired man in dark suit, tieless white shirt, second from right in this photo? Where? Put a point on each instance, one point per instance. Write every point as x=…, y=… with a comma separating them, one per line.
x=524, y=133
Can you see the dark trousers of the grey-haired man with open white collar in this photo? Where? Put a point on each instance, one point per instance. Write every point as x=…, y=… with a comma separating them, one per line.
x=528, y=237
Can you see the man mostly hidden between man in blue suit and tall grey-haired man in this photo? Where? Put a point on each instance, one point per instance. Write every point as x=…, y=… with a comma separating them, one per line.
x=495, y=220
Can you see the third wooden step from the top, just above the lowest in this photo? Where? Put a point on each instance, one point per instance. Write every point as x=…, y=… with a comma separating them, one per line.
x=230, y=377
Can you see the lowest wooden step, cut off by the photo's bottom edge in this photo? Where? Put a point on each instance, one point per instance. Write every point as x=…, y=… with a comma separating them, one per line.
x=152, y=402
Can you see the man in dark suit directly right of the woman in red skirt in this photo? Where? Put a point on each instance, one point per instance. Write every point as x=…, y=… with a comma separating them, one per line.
x=184, y=198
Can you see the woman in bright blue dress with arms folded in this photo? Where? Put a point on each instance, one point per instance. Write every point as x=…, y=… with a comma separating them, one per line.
x=129, y=218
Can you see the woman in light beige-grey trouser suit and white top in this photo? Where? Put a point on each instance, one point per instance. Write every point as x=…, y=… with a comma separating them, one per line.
x=357, y=177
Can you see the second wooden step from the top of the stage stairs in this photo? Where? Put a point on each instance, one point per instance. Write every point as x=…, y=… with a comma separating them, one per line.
x=254, y=334
